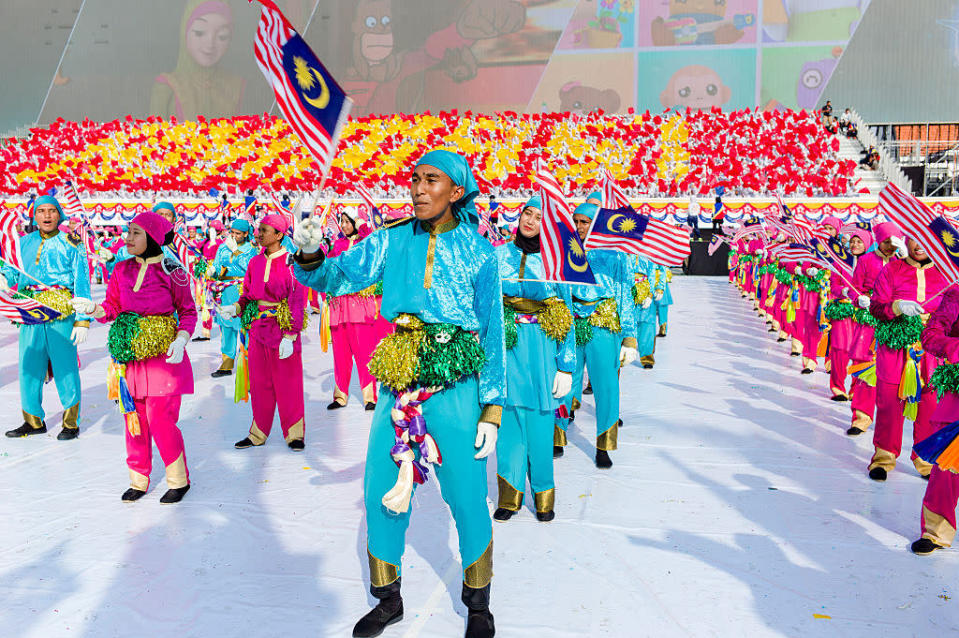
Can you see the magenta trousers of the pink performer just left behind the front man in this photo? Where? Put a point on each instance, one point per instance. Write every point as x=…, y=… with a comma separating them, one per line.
x=275, y=385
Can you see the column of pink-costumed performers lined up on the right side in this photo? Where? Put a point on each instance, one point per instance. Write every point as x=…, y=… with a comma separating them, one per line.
x=889, y=340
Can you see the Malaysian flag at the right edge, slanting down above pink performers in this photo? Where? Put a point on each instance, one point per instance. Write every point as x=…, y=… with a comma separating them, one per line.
x=934, y=233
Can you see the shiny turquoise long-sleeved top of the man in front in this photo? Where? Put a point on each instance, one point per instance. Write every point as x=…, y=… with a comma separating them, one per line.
x=449, y=275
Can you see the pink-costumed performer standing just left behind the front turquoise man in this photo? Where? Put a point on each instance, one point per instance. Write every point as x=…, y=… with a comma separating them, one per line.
x=272, y=304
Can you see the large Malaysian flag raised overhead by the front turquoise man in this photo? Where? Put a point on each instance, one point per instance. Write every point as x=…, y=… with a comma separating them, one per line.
x=312, y=103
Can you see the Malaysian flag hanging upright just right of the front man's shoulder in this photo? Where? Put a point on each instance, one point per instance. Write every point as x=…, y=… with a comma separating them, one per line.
x=564, y=256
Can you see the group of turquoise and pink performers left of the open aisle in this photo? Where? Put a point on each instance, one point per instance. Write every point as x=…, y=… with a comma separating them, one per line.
x=461, y=345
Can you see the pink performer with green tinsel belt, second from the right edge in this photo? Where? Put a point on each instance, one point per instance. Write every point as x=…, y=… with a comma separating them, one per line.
x=905, y=290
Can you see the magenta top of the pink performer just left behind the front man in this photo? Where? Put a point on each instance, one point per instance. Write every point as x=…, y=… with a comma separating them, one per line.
x=270, y=280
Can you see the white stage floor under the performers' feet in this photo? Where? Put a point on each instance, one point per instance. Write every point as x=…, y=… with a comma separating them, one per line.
x=736, y=507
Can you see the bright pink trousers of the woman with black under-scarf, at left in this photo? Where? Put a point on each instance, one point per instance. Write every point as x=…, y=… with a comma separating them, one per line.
x=158, y=417
